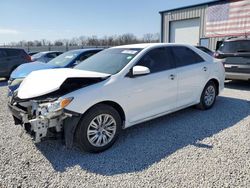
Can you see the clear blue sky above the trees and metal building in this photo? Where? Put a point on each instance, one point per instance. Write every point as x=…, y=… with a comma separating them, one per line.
x=58, y=19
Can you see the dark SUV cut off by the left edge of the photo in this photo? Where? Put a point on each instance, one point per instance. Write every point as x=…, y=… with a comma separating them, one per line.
x=11, y=58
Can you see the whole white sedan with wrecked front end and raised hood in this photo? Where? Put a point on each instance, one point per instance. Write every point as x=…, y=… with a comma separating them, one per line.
x=115, y=89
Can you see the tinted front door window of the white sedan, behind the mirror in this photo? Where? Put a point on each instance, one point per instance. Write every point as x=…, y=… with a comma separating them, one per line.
x=158, y=60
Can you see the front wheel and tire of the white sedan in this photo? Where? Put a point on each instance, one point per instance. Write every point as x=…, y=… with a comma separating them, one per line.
x=92, y=127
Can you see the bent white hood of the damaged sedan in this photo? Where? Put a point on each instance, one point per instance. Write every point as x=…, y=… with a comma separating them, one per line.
x=43, y=82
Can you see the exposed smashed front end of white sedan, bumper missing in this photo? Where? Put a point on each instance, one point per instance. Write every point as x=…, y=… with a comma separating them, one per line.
x=39, y=117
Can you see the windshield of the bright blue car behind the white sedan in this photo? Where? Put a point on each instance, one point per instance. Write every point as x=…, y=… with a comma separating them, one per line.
x=64, y=59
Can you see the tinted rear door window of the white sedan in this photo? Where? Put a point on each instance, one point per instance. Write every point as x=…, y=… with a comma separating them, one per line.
x=185, y=56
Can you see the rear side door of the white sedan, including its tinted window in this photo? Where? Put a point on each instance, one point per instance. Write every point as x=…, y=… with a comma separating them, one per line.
x=192, y=74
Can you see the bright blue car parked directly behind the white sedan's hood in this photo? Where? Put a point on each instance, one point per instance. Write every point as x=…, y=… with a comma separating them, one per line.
x=66, y=60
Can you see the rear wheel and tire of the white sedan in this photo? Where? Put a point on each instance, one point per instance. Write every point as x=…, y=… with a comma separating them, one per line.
x=208, y=96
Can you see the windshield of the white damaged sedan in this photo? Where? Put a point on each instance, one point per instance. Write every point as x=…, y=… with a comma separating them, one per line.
x=110, y=61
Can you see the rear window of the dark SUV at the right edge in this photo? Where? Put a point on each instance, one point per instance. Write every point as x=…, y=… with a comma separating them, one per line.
x=235, y=46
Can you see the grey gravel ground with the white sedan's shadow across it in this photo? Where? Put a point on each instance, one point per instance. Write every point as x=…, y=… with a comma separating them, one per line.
x=190, y=148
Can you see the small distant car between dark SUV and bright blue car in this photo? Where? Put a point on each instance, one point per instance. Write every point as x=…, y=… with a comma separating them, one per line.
x=45, y=56
